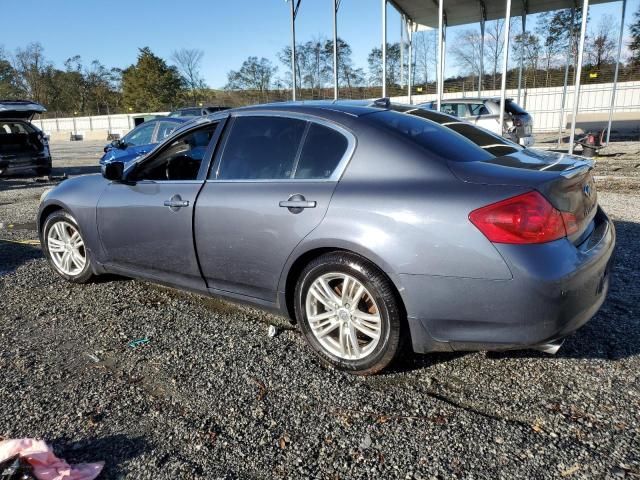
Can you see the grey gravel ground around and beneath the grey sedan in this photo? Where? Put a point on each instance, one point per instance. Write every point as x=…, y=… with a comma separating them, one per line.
x=211, y=395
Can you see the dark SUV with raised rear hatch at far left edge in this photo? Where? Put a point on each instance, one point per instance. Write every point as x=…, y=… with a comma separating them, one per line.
x=23, y=146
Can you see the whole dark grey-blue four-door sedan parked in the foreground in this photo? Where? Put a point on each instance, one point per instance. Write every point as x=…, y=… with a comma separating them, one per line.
x=374, y=230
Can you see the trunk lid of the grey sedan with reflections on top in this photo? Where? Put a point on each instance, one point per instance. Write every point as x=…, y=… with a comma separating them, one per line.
x=564, y=180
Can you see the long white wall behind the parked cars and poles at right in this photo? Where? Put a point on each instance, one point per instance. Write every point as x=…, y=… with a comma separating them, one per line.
x=544, y=103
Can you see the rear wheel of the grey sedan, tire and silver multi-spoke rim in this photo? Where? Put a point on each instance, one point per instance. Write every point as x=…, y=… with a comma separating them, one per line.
x=377, y=298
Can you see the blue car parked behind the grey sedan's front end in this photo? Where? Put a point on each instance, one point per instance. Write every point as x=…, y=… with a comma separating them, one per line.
x=141, y=139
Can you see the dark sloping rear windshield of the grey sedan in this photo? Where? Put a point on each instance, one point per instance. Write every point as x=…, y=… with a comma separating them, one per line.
x=432, y=137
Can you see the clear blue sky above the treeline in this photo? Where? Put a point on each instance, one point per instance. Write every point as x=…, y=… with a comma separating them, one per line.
x=228, y=31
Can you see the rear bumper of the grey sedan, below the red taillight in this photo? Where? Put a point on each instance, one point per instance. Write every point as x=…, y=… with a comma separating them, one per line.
x=556, y=288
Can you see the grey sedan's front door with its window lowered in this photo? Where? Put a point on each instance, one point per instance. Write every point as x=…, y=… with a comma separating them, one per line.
x=147, y=227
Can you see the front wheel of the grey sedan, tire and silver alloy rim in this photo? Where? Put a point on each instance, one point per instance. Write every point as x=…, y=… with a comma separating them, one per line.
x=63, y=223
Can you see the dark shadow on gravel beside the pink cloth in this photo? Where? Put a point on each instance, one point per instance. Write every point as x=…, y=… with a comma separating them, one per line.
x=114, y=450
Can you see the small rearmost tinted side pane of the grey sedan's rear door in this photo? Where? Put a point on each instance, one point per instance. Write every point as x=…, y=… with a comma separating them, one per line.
x=323, y=149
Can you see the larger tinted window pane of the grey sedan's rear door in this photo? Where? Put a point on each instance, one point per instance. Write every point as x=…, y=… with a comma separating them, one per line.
x=261, y=148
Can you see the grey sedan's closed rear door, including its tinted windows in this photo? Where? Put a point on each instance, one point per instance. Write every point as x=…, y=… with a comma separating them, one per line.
x=270, y=187
